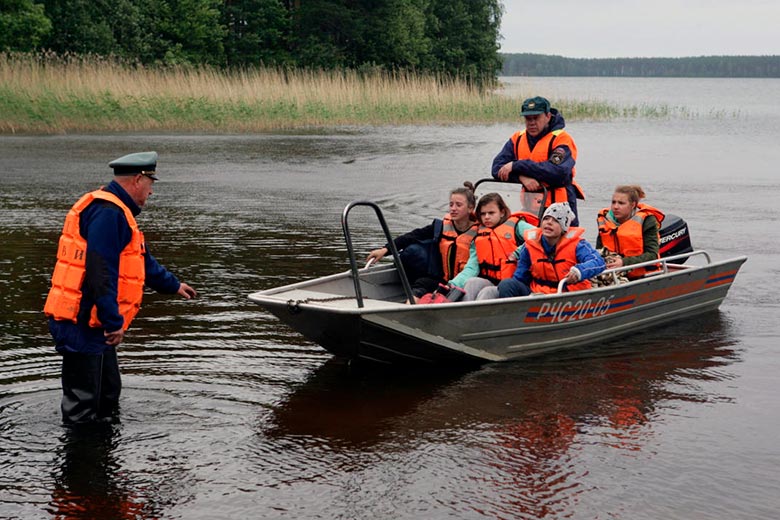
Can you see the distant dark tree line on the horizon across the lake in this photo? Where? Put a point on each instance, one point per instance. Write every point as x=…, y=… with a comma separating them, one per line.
x=700, y=67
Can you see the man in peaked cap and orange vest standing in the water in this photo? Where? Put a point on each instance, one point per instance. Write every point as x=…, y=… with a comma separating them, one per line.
x=97, y=286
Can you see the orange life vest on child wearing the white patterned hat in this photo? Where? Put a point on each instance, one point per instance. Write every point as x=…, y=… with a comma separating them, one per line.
x=548, y=271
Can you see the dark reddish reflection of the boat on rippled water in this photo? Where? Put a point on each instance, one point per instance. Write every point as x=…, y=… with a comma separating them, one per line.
x=528, y=426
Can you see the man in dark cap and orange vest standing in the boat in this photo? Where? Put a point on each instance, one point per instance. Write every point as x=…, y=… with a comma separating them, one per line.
x=542, y=155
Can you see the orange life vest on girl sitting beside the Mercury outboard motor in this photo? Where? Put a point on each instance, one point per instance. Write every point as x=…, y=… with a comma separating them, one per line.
x=626, y=238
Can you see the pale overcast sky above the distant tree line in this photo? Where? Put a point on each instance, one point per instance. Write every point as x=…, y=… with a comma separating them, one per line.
x=634, y=28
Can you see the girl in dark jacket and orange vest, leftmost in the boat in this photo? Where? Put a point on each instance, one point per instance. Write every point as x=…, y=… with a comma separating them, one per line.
x=458, y=229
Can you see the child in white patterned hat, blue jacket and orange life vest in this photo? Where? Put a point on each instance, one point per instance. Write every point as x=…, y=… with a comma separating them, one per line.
x=551, y=253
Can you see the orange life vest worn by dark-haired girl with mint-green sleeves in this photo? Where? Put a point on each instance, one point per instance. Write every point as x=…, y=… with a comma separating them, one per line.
x=494, y=246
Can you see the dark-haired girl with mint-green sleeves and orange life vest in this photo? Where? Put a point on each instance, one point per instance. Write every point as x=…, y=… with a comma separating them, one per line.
x=492, y=254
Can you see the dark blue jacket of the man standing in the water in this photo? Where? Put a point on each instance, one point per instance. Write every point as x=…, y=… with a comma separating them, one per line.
x=107, y=233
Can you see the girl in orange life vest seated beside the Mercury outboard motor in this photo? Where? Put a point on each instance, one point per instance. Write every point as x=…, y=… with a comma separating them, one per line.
x=629, y=229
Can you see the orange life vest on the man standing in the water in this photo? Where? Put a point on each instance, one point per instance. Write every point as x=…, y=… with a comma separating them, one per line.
x=65, y=294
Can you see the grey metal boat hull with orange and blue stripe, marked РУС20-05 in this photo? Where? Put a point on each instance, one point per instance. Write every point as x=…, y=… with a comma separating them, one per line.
x=386, y=330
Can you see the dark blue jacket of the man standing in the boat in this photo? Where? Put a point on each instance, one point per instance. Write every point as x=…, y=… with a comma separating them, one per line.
x=552, y=174
